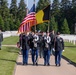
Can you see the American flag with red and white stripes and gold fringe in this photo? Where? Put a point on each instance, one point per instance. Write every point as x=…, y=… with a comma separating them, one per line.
x=28, y=21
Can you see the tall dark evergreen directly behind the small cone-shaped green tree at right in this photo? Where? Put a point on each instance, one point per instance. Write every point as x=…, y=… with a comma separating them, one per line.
x=65, y=11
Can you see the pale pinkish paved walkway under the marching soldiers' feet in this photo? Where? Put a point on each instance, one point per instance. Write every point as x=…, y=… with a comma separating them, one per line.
x=64, y=69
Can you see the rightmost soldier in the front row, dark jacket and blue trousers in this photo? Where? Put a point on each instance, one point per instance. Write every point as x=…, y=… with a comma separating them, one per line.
x=59, y=47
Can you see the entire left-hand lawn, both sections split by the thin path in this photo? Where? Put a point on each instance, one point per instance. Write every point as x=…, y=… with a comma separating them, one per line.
x=8, y=56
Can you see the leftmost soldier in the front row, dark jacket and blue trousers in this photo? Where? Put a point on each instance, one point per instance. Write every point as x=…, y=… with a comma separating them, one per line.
x=25, y=48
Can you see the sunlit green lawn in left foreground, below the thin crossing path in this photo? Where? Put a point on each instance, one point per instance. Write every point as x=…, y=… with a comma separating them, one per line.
x=8, y=57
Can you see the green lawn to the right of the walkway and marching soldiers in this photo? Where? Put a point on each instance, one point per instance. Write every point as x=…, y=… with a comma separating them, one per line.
x=70, y=51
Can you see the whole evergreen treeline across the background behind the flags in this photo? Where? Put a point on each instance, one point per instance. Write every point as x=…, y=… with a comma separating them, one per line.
x=62, y=15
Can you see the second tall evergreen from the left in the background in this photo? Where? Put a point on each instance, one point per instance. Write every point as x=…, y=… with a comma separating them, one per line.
x=13, y=8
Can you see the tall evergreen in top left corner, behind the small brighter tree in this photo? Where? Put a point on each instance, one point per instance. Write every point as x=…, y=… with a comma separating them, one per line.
x=4, y=11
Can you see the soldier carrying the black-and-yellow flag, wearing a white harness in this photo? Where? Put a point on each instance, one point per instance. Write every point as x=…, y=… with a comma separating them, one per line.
x=47, y=41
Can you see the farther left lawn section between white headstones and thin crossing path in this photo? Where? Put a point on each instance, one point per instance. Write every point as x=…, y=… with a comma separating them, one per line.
x=10, y=40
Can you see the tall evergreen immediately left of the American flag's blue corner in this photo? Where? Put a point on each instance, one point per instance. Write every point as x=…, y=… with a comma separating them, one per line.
x=21, y=10
